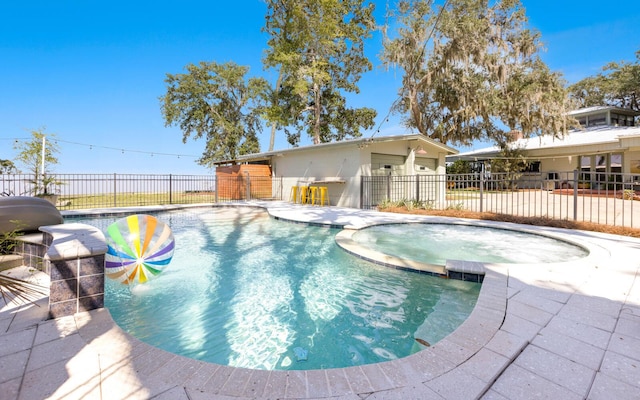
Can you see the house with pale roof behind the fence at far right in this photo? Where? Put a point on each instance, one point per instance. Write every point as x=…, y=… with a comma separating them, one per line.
x=607, y=143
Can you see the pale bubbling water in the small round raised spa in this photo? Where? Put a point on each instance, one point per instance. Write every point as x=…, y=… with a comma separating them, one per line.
x=436, y=243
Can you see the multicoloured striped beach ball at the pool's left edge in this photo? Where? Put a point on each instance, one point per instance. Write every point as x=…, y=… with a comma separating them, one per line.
x=140, y=248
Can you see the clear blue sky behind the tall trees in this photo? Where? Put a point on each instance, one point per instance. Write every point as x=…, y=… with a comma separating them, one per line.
x=91, y=72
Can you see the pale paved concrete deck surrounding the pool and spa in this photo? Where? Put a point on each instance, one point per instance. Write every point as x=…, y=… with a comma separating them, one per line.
x=557, y=331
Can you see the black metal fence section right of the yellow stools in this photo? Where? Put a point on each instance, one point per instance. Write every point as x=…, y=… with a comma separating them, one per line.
x=603, y=198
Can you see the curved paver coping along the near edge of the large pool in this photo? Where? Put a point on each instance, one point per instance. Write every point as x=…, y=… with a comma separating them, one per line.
x=455, y=350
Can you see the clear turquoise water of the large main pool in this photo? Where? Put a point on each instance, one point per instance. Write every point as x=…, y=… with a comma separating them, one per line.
x=246, y=290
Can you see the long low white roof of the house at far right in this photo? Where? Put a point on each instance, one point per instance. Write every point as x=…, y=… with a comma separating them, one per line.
x=549, y=145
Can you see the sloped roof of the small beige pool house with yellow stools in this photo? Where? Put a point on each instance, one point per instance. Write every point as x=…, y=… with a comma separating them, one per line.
x=351, y=142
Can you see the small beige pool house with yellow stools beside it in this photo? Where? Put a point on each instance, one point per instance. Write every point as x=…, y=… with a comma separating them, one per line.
x=341, y=166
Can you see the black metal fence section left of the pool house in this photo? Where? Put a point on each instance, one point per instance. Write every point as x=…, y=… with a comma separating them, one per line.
x=82, y=191
